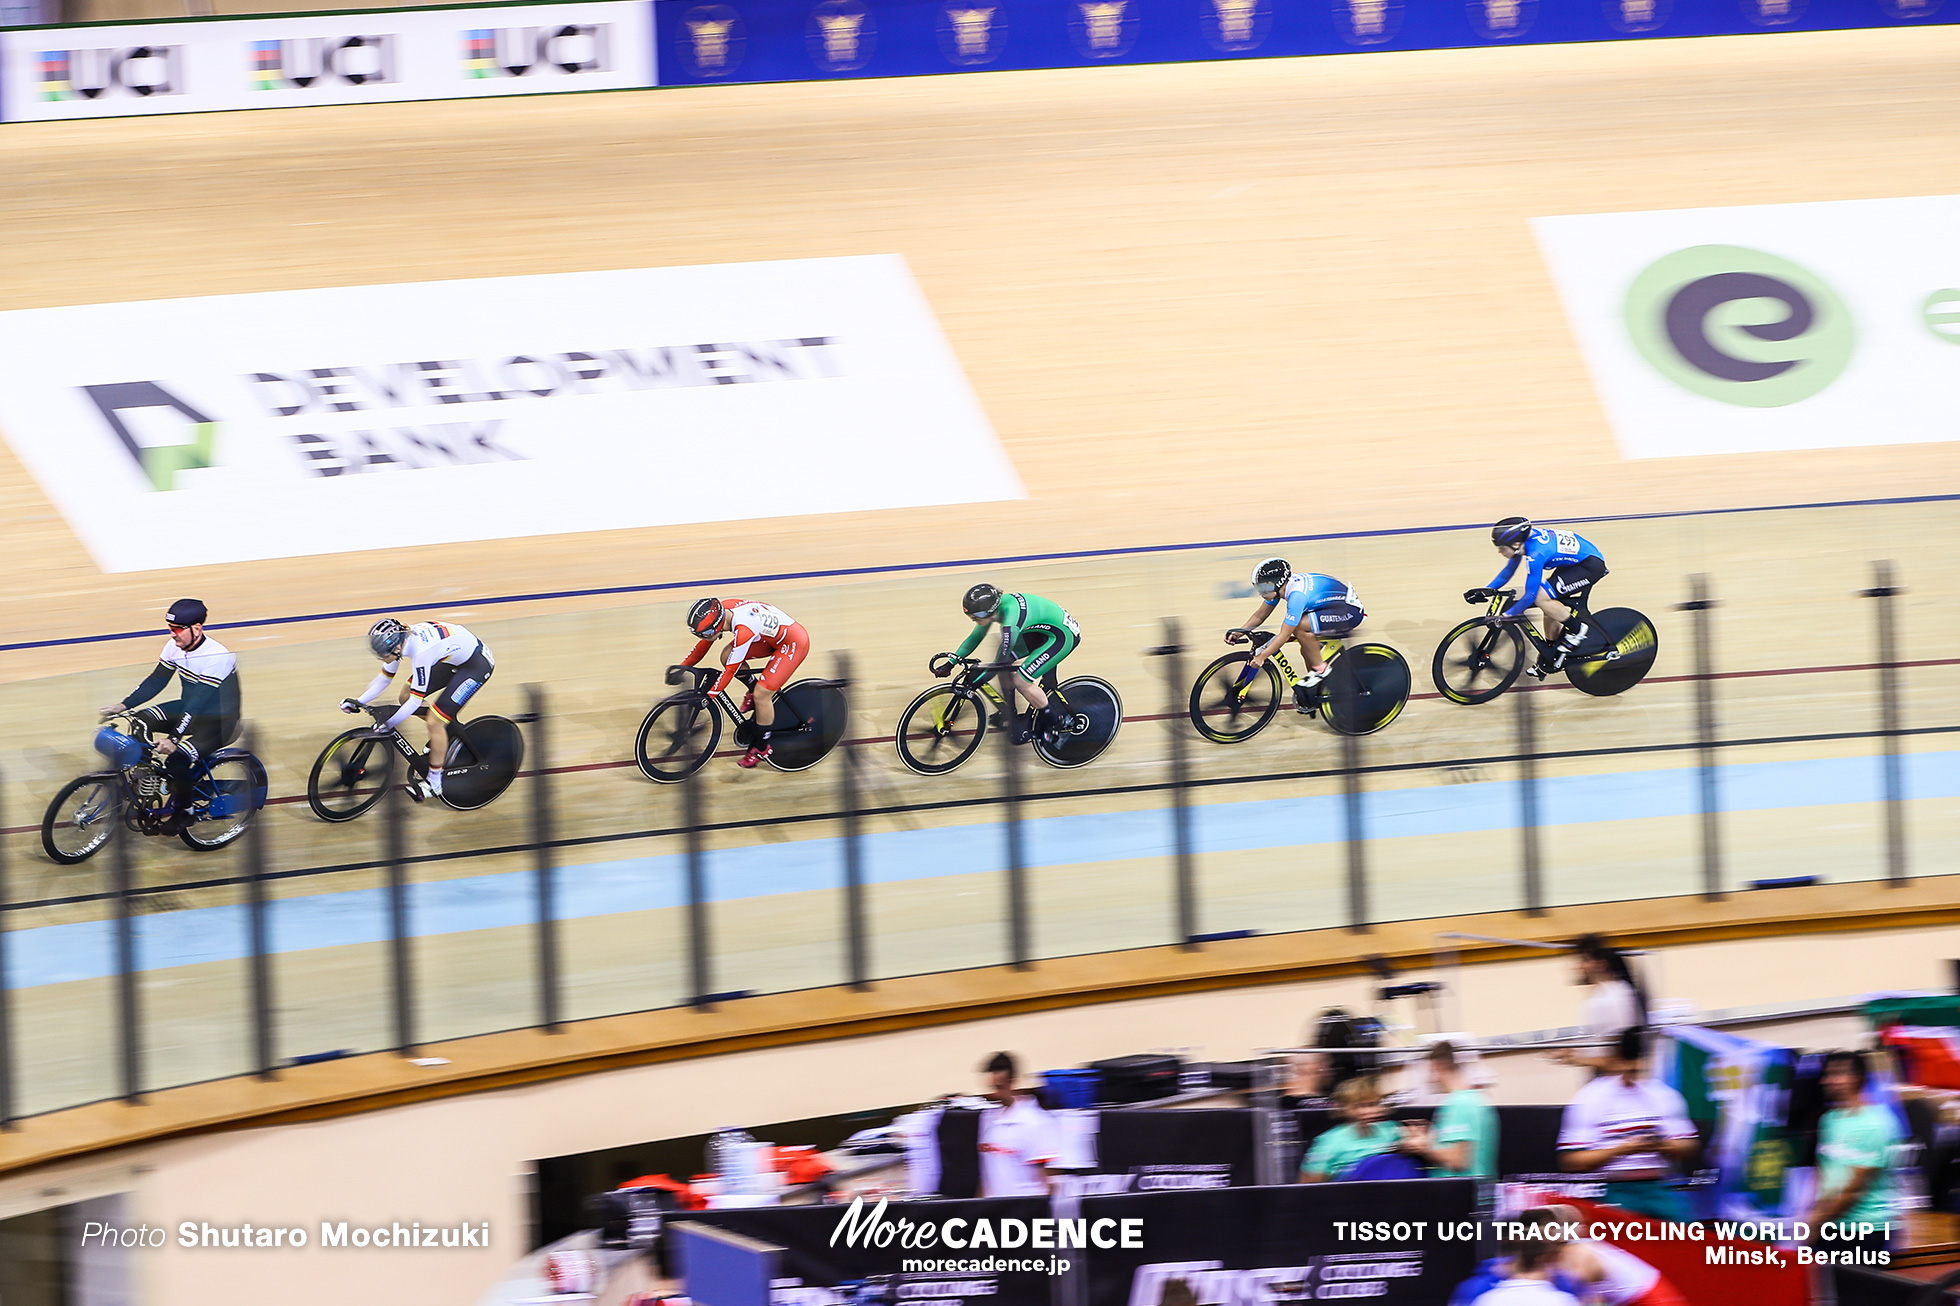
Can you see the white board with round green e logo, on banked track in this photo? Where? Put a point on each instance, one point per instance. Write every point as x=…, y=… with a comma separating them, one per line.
x=1775, y=326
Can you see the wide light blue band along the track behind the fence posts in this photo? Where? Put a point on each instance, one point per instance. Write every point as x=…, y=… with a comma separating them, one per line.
x=85, y=950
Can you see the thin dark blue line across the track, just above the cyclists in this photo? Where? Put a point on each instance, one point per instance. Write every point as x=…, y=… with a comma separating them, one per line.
x=973, y=562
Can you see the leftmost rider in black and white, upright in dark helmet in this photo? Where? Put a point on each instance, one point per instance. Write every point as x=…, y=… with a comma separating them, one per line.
x=205, y=717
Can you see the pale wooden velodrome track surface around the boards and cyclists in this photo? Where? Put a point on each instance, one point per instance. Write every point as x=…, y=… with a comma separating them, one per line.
x=1199, y=303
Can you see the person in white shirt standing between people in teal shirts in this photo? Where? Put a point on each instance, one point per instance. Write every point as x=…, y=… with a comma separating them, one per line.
x=1632, y=1132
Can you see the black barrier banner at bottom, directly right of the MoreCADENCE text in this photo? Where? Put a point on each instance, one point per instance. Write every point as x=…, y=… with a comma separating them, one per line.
x=1400, y=1244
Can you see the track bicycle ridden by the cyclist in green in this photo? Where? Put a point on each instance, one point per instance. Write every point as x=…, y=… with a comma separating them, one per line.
x=944, y=727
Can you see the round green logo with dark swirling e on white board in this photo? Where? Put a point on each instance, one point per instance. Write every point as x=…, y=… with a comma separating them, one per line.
x=1739, y=326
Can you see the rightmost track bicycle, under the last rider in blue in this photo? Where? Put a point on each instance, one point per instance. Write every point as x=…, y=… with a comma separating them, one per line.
x=1485, y=656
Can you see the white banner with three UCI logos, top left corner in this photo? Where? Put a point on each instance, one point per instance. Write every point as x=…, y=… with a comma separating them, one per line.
x=187, y=68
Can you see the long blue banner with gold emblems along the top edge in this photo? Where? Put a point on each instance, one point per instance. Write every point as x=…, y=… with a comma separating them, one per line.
x=814, y=40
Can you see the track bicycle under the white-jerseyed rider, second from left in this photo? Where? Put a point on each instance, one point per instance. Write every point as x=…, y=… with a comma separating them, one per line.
x=358, y=768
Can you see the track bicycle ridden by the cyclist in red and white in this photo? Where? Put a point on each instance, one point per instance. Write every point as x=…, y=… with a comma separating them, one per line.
x=683, y=730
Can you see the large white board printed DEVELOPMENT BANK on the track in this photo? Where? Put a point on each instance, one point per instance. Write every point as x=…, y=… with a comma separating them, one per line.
x=254, y=427
